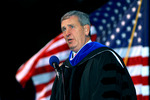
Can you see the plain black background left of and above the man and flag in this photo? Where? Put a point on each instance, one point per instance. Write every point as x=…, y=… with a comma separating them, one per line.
x=27, y=25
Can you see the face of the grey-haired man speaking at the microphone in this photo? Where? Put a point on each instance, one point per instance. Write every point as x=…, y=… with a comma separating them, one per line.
x=74, y=34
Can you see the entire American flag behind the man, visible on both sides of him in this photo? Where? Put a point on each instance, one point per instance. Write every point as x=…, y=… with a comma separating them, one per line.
x=113, y=24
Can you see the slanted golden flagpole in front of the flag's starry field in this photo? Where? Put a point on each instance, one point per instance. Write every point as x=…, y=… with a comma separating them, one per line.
x=132, y=35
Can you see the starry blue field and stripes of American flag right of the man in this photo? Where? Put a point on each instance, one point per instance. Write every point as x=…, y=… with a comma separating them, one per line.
x=114, y=24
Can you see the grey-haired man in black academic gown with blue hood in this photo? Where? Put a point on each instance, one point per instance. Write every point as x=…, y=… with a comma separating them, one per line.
x=92, y=71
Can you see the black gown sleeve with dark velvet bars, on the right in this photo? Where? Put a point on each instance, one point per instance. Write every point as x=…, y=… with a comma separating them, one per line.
x=109, y=80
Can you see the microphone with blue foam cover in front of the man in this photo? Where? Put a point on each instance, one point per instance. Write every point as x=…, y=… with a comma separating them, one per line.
x=54, y=62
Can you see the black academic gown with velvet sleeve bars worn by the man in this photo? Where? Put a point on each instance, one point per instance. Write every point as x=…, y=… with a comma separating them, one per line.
x=101, y=75
